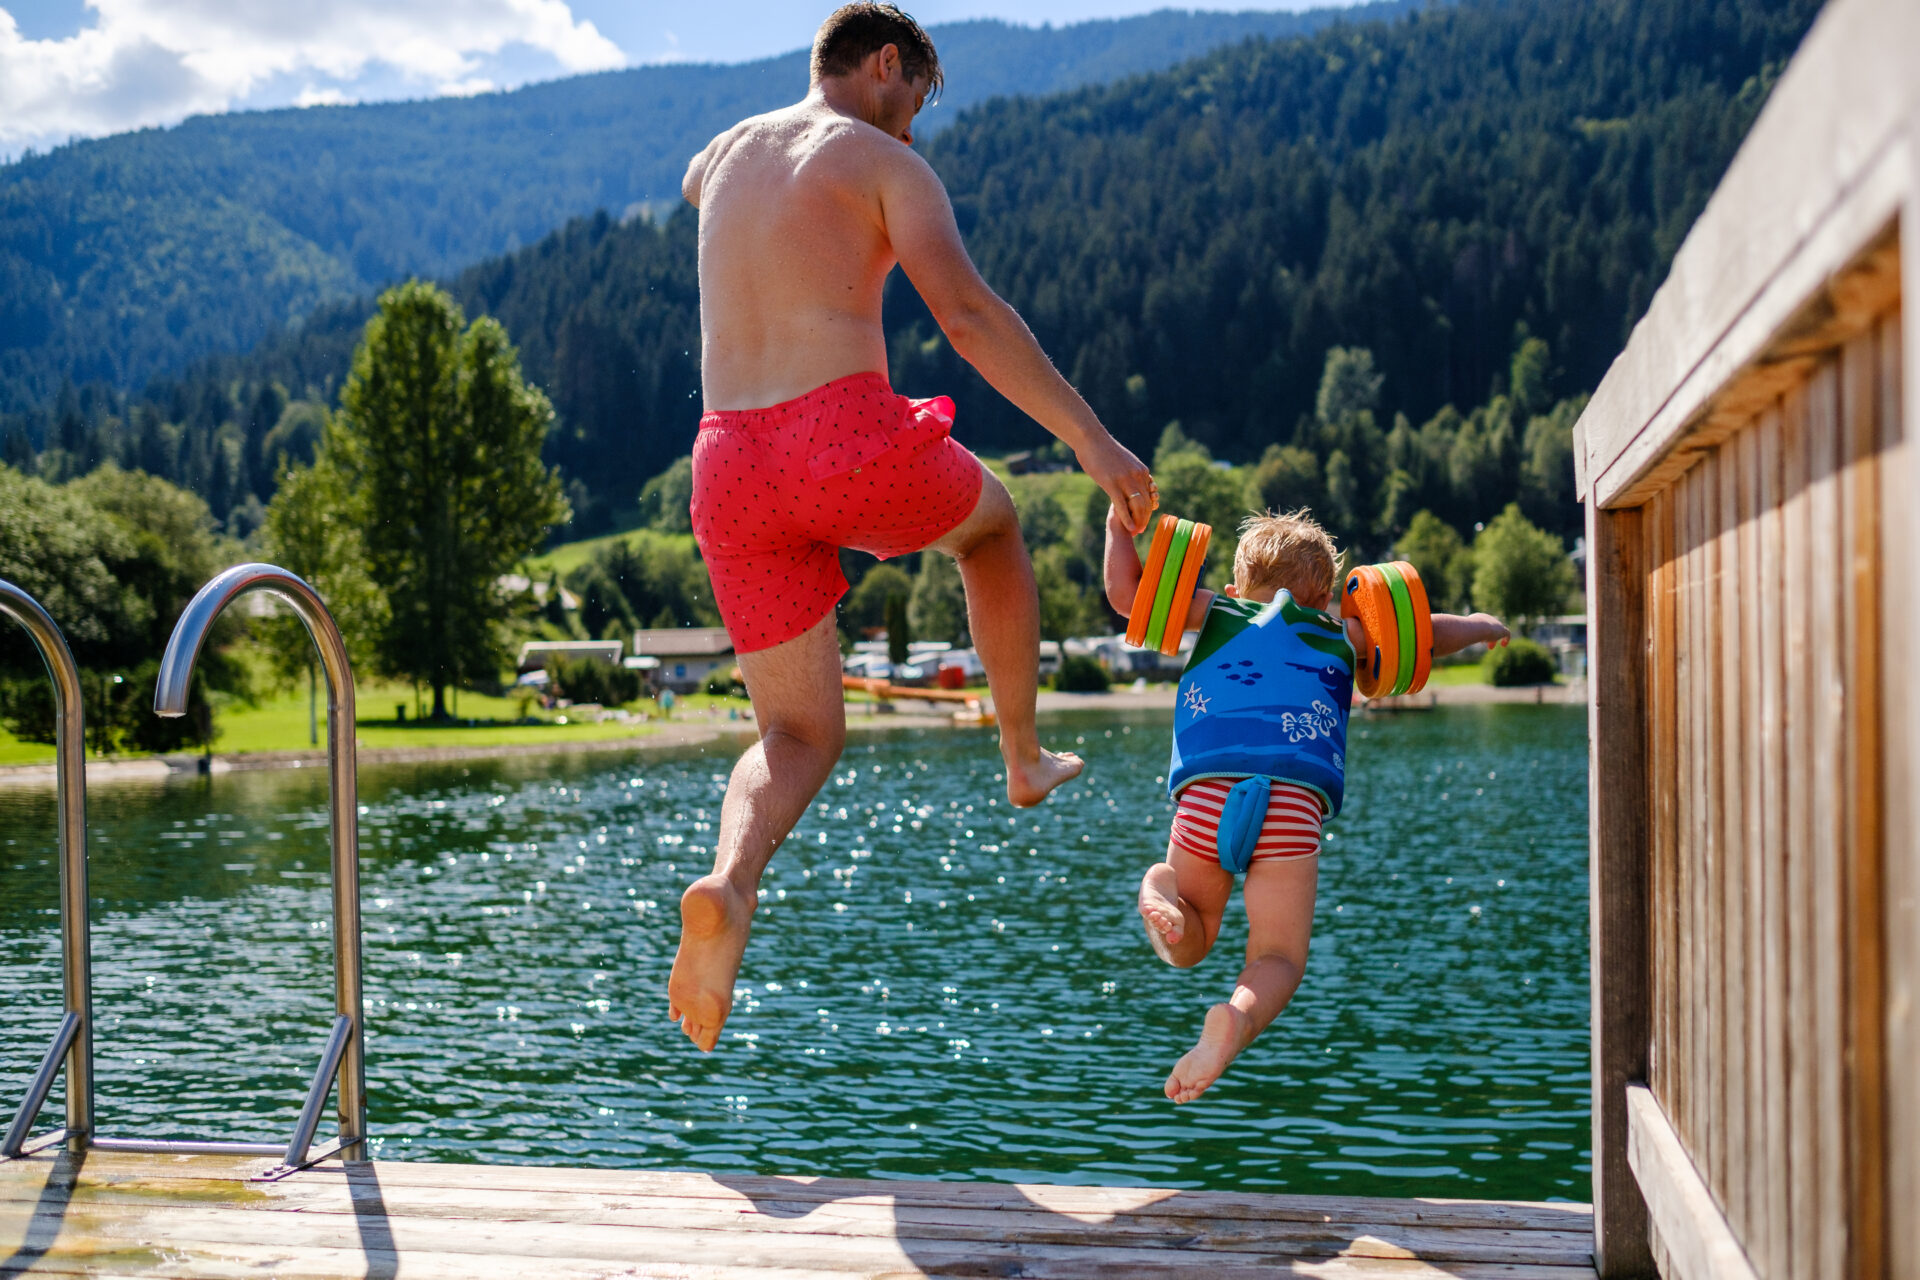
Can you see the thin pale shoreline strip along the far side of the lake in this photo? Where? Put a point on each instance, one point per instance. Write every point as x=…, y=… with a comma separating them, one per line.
x=675, y=736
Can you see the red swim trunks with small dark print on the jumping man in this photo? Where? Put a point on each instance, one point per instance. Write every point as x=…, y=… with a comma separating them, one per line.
x=779, y=492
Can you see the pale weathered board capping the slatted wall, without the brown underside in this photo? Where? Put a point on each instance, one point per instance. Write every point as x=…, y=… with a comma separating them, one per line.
x=1833, y=122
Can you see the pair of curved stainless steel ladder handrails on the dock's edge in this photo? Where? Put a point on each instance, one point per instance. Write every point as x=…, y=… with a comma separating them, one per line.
x=345, y=1056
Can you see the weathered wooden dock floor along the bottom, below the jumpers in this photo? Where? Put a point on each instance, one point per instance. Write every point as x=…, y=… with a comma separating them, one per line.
x=203, y=1216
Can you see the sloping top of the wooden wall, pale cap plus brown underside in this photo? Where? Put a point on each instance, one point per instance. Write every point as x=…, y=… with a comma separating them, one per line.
x=1815, y=191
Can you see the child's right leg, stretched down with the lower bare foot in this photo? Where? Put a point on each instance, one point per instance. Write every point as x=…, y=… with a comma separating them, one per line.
x=1280, y=916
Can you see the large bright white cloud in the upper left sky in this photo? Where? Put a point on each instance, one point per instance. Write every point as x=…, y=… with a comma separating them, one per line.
x=155, y=62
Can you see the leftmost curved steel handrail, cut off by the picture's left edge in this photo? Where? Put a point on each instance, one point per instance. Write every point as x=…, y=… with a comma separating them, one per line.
x=74, y=1043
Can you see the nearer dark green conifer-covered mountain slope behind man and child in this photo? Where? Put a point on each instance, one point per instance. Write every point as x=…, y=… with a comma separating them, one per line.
x=1483, y=197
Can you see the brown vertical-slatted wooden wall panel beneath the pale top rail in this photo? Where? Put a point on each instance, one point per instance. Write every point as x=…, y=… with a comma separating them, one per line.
x=1765, y=811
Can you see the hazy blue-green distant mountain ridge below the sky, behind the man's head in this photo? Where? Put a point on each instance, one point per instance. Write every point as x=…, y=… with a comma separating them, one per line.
x=132, y=256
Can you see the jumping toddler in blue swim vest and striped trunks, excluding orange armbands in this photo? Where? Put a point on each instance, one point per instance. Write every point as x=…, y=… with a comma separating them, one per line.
x=1264, y=698
